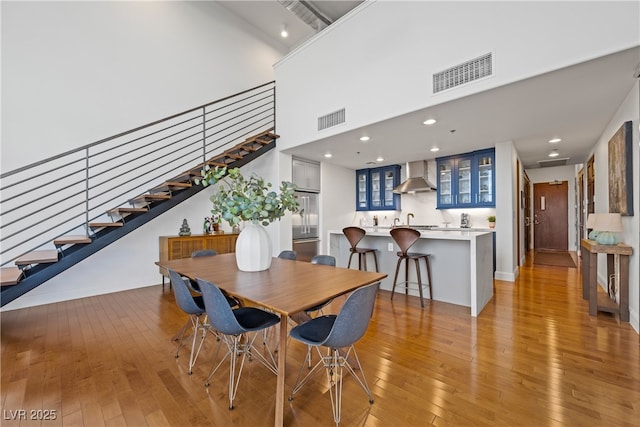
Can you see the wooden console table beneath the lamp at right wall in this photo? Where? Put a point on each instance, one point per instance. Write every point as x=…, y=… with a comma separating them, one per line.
x=616, y=255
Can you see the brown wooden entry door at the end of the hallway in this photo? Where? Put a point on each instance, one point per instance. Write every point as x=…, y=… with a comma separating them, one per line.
x=551, y=216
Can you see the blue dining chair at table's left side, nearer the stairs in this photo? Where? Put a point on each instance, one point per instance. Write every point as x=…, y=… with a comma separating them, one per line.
x=194, y=307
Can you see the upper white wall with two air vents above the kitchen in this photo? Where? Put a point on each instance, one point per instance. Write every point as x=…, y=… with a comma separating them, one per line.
x=377, y=63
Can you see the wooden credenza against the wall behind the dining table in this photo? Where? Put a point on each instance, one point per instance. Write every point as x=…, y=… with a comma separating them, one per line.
x=176, y=247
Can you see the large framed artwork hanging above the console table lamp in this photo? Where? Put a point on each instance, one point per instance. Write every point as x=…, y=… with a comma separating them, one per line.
x=621, y=171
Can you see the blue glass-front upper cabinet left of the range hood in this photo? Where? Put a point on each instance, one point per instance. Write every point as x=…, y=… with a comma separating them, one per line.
x=374, y=188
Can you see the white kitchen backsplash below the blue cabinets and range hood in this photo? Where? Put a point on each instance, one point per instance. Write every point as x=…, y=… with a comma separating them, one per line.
x=423, y=208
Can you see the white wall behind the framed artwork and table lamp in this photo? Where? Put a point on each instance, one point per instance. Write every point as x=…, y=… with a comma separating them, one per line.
x=629, y=110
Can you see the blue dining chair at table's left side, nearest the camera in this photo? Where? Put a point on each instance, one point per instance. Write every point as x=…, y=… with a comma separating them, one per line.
x=232, y=325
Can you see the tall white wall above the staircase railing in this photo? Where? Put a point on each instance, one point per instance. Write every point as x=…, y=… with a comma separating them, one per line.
x=77, y=72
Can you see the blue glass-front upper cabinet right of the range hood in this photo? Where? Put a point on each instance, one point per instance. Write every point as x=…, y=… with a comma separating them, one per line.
x=467, y=180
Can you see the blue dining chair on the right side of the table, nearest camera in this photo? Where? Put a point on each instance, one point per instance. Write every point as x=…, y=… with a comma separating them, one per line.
x=335, y=333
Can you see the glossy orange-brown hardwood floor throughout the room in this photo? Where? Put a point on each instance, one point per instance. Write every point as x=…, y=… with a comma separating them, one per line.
x=533, y=357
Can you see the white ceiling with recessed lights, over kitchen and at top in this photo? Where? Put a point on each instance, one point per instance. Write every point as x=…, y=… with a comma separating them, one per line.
x=575, y=104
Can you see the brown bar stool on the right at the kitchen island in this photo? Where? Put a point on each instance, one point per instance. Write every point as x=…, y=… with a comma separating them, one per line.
x=405, y=237
